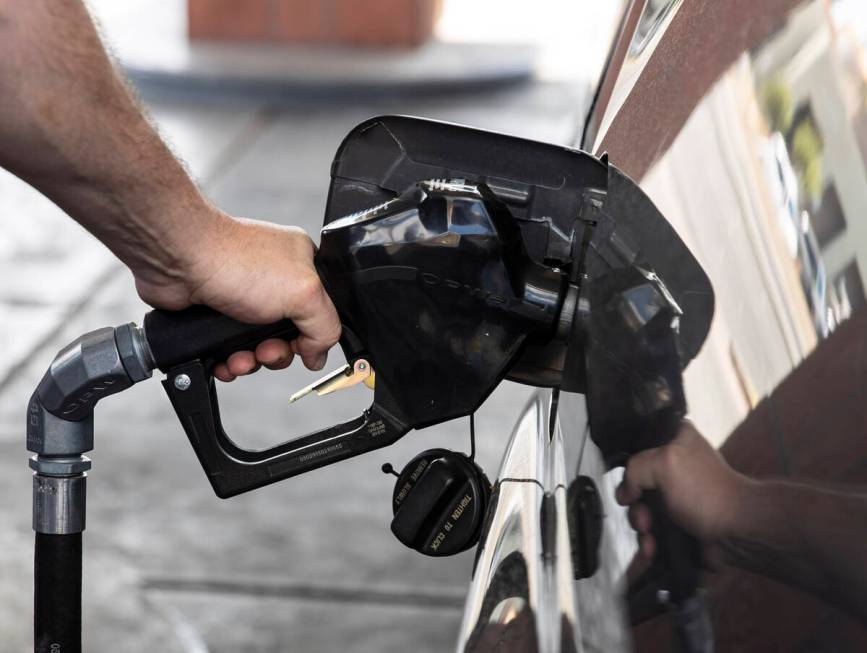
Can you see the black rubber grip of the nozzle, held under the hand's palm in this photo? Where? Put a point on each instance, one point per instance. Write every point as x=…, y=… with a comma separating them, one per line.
x=201, y=333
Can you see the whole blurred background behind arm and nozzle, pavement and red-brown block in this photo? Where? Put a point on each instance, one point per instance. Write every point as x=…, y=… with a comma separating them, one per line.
x=255, y=96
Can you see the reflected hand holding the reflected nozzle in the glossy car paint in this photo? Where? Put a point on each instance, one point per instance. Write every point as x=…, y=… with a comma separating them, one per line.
x=701, y=492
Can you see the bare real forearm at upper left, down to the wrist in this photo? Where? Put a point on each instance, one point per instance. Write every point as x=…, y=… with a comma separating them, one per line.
x=70, y=128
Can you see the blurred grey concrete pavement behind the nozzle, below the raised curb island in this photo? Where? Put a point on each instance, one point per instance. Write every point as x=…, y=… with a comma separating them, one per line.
x=305, y=565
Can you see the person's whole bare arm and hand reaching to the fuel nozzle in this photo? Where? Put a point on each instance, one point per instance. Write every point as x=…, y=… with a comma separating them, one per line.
x=70, y=128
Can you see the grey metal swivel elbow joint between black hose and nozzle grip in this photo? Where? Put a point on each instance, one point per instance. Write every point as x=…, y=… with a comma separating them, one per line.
x=60, y=419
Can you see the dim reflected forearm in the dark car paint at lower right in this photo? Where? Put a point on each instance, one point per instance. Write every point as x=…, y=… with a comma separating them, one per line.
x=805, y=536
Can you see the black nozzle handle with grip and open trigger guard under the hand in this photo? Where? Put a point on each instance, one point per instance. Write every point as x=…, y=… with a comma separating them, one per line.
x=186, y=345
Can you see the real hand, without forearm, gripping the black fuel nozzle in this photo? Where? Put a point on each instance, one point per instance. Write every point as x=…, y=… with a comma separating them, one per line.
x=255, y=272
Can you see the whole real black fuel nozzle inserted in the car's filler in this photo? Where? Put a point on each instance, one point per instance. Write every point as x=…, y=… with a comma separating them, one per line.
x=436, y=294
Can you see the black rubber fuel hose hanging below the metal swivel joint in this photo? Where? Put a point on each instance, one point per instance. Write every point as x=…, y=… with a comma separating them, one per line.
x=57, y=593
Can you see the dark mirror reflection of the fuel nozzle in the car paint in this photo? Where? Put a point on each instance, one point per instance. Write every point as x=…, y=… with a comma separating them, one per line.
x=636, y=401
